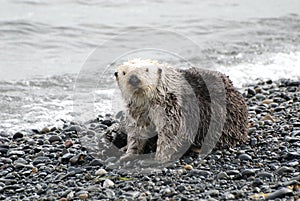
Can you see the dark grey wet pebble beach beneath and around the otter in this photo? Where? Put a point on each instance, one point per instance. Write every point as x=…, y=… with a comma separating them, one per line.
x=62, y=163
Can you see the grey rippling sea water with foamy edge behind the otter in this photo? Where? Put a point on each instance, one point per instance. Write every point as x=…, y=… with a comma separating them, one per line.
x=44, y=45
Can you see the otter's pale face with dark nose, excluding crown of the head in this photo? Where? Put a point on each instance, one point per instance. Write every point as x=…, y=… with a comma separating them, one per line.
x=136, y=82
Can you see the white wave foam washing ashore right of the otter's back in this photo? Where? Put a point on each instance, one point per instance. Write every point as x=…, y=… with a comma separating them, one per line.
x=267, y=66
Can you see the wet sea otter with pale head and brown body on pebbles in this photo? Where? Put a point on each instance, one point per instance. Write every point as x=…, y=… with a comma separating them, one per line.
x=177, y=105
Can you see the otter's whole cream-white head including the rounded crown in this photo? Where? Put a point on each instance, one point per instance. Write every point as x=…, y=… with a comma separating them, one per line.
x=138, y=79
